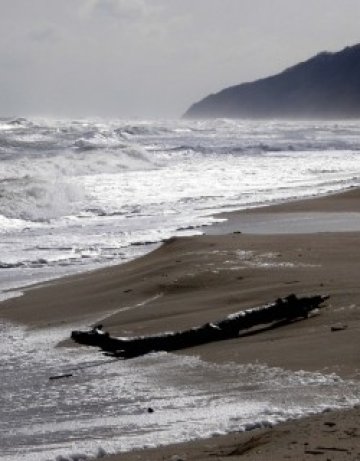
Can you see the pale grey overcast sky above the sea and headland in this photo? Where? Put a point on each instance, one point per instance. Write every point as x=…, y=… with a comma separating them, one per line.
x=153, y=58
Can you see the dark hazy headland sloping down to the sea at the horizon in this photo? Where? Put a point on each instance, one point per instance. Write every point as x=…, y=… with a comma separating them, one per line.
x=326, y=86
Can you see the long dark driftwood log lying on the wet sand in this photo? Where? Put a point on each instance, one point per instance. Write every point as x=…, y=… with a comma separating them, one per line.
x=284, y=310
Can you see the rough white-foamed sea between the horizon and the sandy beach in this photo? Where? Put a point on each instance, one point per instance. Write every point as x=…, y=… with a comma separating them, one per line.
x=80, y=194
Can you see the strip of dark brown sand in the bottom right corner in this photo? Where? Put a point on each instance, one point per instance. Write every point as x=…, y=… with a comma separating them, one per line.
x=291, y=440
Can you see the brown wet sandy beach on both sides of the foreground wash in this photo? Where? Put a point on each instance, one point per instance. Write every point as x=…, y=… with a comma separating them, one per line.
x=308, y=247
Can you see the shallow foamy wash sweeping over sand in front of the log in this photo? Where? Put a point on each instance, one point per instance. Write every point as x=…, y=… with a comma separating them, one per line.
x=103, y=406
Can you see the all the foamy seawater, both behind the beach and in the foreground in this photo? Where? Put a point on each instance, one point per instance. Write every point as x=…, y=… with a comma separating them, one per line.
x=83, y=194
